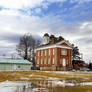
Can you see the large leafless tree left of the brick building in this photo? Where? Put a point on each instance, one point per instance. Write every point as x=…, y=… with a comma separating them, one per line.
x=26, y=47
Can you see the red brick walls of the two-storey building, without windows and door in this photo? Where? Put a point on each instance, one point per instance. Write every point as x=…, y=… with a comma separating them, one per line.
x=57, y=57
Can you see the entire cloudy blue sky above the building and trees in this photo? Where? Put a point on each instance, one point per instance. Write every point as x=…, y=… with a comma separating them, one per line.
x=71, y=19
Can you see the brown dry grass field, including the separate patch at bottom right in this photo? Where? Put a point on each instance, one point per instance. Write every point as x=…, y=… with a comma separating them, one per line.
x=80, y=77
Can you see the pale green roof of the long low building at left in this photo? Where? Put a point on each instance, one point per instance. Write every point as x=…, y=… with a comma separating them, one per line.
x=14, y=61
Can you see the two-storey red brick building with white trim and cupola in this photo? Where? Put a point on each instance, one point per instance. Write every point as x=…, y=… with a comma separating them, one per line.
x=54, y=54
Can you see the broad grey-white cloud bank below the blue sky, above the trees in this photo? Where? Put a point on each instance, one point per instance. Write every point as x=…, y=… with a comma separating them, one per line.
x=12, y=27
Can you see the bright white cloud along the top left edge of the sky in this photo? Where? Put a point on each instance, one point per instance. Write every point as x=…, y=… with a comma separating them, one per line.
x=19, y=4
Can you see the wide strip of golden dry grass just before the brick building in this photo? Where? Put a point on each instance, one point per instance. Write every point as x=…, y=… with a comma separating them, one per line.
x=37, y=75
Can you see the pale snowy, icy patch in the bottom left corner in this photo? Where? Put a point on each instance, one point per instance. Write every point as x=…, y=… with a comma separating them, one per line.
x=8, y=86
